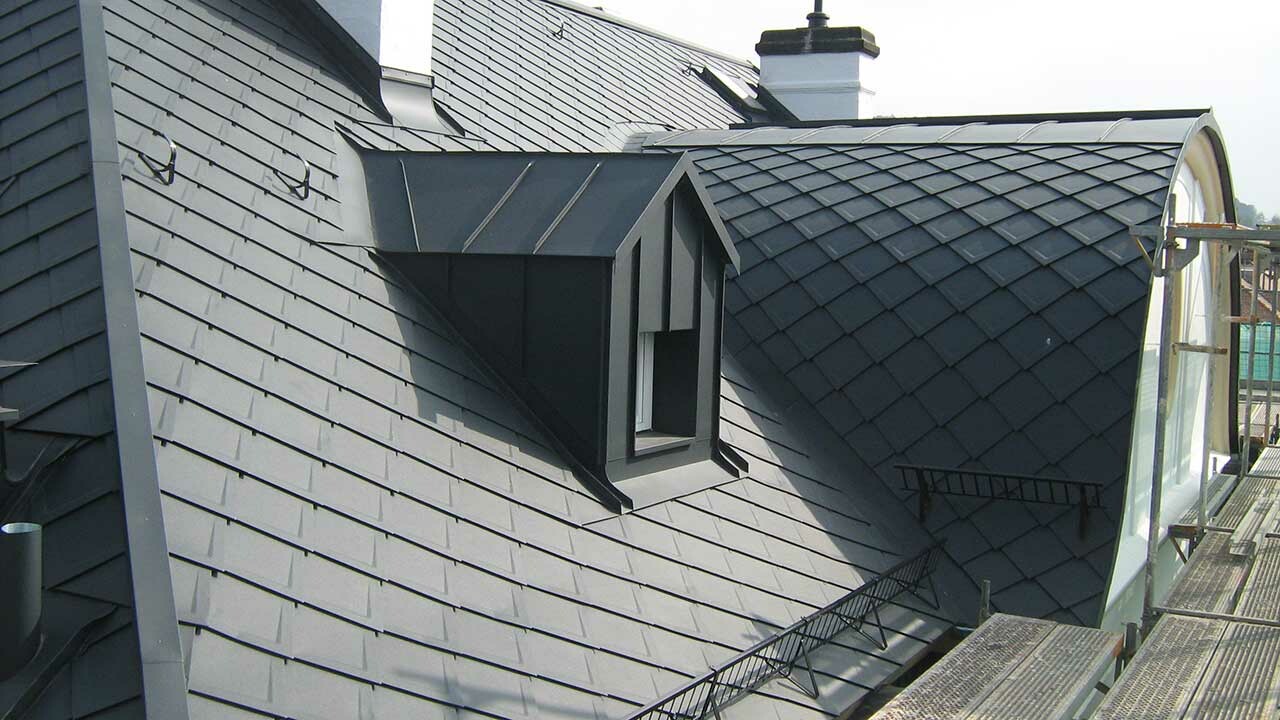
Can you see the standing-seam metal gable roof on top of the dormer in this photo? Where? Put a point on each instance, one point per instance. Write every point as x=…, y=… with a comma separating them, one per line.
x=550, y=204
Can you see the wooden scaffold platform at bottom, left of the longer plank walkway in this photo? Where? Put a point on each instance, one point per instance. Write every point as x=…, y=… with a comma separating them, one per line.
x=1011, y=668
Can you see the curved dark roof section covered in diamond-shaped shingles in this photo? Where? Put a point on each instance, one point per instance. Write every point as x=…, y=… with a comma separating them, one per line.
x=959, y=295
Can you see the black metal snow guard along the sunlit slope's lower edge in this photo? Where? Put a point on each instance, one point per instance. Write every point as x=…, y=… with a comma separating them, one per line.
x=783, y=654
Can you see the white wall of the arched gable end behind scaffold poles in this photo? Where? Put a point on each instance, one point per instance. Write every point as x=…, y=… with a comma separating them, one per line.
x=1199, y=320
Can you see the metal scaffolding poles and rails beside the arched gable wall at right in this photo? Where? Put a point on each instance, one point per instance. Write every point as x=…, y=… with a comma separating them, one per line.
x=1177, y=247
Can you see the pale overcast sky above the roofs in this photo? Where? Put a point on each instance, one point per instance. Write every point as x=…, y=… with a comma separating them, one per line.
x=952, y=58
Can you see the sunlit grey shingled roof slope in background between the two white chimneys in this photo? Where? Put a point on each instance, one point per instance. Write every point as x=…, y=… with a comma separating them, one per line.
x=542, y=75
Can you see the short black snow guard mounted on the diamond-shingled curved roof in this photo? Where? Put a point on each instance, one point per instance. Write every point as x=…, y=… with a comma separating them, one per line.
x=929, y=481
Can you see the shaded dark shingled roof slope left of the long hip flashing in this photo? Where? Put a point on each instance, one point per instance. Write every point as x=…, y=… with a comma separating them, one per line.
x=52, y=313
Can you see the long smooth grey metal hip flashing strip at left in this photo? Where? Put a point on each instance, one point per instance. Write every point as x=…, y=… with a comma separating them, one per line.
x=163, y=680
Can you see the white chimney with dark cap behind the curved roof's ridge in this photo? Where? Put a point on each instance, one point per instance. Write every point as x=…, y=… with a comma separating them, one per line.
x=819, y=72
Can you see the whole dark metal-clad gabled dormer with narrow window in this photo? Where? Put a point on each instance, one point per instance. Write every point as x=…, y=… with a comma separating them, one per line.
x=592, y=285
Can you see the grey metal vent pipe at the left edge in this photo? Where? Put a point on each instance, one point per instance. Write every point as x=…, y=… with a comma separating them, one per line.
x=21, y=587
